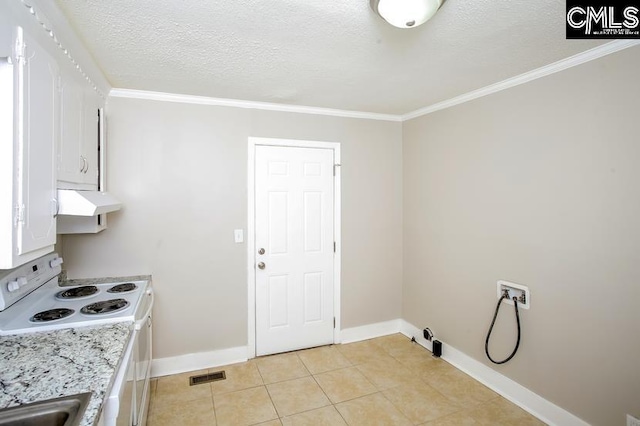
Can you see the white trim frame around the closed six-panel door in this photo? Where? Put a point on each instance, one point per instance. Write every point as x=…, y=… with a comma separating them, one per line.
x=251, y=234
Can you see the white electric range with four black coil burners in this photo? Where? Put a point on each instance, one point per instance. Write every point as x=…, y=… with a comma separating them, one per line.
x=31, y=301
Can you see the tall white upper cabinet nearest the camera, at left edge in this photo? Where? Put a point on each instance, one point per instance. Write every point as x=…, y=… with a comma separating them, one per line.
x=29, y=108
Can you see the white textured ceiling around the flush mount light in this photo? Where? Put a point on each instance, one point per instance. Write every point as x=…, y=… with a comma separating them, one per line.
x=333, y=54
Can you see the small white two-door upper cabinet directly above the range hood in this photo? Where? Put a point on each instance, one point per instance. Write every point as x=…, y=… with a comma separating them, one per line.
x=78, y=149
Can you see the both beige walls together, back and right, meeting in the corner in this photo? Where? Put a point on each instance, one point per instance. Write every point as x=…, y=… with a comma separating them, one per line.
x=537, y=184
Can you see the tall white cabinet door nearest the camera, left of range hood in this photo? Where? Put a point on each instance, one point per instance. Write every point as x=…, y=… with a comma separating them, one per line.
x=38, y=107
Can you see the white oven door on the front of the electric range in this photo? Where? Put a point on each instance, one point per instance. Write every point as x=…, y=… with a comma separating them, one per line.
x=143, y=330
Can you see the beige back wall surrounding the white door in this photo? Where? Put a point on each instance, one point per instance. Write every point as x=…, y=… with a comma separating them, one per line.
x=181, y=172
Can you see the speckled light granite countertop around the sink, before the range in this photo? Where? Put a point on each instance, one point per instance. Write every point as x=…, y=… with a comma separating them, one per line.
x=45, y=365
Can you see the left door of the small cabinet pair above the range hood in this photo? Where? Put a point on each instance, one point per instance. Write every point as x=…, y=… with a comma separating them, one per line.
x=70, y=164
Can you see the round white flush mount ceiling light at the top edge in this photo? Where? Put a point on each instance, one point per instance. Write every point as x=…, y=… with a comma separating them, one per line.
x=406, y=13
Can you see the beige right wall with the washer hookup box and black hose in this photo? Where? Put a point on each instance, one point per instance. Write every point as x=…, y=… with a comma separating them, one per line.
x=540, y=185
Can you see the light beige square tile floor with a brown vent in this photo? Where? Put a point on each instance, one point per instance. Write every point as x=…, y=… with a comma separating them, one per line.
x=383, y=381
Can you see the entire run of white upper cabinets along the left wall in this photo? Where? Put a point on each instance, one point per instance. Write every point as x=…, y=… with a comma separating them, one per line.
x=49, y=130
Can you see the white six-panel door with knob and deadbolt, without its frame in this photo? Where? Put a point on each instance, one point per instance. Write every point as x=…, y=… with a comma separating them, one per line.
x=294, y=223
